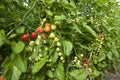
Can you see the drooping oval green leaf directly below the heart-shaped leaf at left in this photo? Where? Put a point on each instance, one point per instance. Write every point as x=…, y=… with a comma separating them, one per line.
x=20, y=63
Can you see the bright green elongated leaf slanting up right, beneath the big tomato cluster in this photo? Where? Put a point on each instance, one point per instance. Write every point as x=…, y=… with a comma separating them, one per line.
x=39, y=65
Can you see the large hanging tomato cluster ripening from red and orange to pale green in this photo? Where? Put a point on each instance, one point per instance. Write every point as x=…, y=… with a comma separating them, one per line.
x=44, y=43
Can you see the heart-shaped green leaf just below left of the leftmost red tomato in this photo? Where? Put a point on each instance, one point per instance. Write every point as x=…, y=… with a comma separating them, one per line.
x=17, y=47
